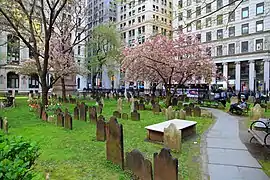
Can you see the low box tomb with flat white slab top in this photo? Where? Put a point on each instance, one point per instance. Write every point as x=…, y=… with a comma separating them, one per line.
x=155, y=132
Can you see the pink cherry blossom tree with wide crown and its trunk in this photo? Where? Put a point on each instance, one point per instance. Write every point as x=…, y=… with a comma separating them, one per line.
x=172, y=62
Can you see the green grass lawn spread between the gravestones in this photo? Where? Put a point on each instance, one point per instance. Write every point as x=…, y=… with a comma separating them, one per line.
x=76, y=154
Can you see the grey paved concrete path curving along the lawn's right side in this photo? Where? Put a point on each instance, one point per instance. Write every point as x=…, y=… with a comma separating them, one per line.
x=227, y=157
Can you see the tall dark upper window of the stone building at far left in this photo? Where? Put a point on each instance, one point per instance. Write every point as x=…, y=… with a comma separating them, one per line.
x=13, y=48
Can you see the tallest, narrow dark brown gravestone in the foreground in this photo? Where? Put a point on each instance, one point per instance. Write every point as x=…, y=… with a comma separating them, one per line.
x=114, y=142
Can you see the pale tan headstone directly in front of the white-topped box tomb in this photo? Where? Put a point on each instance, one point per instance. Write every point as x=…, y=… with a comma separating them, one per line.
x=172, y=138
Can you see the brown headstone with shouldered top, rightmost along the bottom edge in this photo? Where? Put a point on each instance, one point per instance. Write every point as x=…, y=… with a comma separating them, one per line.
x=165, y=166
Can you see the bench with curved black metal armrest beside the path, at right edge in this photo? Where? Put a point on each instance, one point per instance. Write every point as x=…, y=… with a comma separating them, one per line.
x=262, y=136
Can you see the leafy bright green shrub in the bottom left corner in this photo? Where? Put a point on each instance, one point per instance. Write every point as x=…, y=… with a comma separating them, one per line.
x=17, y=158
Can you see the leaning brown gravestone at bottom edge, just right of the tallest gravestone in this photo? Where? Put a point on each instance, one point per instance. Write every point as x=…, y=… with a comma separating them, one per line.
x=140, y=167
